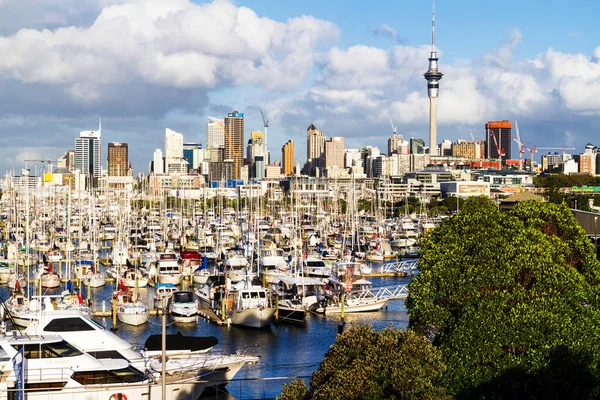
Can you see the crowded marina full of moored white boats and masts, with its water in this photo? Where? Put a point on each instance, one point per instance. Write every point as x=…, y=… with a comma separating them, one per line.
x=273, y=286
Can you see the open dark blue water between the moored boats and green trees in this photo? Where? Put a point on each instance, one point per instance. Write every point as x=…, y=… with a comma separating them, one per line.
x=286, y=352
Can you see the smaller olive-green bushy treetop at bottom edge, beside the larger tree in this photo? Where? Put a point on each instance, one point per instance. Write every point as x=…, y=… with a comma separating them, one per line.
x=367, y=364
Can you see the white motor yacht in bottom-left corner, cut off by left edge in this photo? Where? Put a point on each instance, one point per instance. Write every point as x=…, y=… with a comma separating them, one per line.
x=48, y=367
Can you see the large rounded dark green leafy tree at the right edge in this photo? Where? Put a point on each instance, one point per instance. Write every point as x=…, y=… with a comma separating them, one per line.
x=510, y=299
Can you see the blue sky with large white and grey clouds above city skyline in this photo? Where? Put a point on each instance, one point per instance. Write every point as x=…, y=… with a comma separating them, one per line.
x=346, y=66
